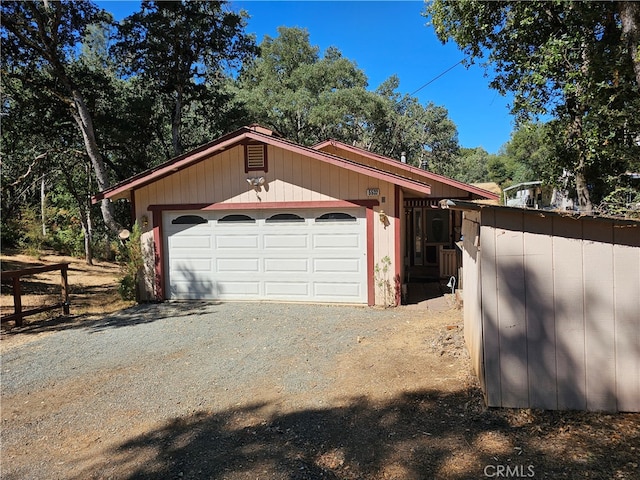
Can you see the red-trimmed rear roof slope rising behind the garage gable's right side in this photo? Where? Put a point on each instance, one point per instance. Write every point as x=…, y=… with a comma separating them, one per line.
x=394, y=166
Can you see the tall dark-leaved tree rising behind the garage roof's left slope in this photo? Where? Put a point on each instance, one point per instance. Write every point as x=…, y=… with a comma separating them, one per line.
x=185, y=51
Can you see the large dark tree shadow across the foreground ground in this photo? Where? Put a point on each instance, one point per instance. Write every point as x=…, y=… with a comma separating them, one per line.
x=419, y=435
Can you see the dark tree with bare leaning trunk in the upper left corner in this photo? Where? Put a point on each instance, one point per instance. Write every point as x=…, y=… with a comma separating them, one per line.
x=40, y=41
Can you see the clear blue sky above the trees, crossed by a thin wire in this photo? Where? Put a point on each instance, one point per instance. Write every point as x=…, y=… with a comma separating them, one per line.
x=385, y=38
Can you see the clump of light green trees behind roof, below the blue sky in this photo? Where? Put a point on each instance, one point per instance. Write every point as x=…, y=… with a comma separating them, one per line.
x=309, y=98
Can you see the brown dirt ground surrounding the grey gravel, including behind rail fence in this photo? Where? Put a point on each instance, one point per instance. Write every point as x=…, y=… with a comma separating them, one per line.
x=402, y=404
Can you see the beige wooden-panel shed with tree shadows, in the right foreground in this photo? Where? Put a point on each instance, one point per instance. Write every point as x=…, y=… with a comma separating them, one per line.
x=552, y=308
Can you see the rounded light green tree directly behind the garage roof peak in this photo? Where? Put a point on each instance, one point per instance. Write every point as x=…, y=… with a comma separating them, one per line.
x=301, y=95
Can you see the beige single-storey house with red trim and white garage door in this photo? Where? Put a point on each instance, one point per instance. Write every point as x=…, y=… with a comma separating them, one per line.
x=252, y=216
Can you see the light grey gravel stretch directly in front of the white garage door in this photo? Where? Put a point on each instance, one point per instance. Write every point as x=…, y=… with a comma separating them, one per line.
x=179, y=338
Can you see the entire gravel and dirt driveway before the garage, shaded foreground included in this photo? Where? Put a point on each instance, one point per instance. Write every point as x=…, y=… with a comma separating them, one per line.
x=277, y=391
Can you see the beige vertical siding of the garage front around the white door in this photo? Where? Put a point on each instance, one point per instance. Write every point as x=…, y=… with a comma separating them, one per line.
x=290, y=178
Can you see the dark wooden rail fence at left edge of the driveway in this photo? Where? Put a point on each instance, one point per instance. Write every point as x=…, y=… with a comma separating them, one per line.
x=13, y=277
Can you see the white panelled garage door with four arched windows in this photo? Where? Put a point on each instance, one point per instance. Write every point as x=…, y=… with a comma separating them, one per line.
x=294, y=255
